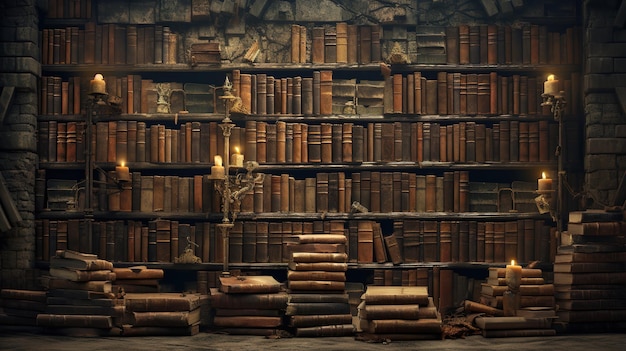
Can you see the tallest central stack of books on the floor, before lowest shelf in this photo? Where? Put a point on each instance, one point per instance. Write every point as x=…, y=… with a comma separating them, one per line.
x=318, y=301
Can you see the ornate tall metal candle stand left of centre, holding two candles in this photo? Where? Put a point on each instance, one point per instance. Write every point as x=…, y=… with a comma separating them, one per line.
x=232, y=188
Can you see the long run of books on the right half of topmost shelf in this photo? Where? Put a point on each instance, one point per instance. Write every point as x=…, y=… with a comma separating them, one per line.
x=463, y=44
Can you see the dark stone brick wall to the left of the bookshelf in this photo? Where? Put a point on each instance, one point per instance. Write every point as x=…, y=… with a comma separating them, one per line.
x=19, y=59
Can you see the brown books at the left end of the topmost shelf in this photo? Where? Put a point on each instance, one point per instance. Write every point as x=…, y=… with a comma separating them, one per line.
x=109, y=44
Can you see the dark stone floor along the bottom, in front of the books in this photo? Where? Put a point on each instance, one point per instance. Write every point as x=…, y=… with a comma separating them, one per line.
x=23, y=340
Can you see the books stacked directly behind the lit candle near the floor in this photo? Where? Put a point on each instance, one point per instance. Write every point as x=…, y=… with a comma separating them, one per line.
x=536, y=297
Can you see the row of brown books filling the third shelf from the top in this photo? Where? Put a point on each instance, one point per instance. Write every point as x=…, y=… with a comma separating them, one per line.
x=297, y=143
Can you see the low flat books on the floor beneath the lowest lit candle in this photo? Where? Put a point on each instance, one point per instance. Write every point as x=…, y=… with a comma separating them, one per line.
x=513, y=326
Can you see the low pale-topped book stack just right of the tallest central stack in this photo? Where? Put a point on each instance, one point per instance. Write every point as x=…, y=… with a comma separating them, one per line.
x=398, y=313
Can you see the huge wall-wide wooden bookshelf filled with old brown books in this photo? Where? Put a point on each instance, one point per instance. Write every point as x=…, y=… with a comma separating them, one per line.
x=315, y=194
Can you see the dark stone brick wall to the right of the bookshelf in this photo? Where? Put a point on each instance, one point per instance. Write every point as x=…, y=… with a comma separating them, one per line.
x=605, y=100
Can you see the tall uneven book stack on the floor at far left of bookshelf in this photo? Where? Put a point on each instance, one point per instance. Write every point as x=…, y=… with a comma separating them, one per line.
x=80, y=299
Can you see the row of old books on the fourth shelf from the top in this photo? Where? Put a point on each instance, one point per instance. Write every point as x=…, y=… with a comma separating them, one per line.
x=333, y=192
